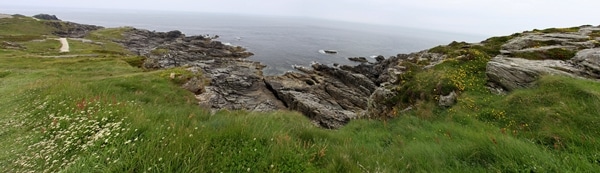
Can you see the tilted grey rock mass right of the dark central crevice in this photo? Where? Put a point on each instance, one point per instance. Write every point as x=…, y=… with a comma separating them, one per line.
x=332, y=96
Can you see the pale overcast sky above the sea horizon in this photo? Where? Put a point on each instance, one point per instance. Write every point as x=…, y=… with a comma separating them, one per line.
x=485, y=17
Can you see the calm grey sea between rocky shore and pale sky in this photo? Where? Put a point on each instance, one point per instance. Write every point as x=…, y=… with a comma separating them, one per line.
x=277, y=42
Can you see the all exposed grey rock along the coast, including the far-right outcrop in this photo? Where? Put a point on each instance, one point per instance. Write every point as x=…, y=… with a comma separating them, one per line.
x=331, y=96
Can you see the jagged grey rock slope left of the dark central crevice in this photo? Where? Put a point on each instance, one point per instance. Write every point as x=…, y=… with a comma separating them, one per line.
x=235, y=83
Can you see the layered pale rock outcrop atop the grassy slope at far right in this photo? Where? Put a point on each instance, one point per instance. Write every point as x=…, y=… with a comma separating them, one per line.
x=532, y=54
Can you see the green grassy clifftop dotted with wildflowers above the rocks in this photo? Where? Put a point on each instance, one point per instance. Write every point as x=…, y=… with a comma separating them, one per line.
x=102, y=114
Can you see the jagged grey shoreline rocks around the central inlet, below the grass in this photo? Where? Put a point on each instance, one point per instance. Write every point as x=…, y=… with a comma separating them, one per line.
x=329, y=95
